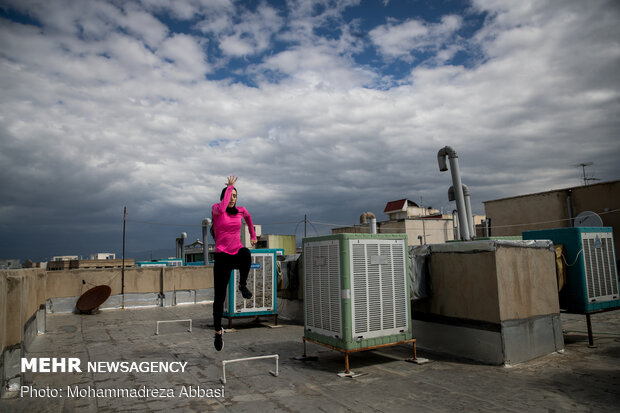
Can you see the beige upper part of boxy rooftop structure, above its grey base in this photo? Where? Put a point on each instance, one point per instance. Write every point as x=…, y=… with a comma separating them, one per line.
x=492, y=286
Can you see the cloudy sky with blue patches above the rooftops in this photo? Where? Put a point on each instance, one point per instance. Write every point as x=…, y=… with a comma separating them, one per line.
x=328, y=108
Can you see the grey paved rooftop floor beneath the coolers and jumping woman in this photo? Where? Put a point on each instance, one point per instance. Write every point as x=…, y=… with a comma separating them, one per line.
x=579, y=379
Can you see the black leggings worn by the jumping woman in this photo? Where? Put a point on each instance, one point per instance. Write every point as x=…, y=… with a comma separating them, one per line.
x=223, y=265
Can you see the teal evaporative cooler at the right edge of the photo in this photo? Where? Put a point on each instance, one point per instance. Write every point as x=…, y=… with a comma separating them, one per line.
x=592, y=276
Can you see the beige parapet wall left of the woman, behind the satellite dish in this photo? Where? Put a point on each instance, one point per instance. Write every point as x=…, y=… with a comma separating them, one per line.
x=25, y=295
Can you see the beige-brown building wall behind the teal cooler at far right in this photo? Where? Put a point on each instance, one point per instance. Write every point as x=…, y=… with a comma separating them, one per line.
x=550, y=208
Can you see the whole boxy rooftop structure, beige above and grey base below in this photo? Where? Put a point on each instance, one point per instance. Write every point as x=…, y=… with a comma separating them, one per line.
x=492, y=301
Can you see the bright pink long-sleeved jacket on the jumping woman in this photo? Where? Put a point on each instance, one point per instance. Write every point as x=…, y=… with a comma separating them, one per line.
x=227, y=227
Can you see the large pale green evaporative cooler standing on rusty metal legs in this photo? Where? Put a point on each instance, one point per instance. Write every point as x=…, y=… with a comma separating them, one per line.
x=356, y=290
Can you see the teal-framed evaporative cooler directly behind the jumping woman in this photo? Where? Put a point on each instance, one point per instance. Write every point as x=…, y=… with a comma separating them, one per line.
x=262, y=282
